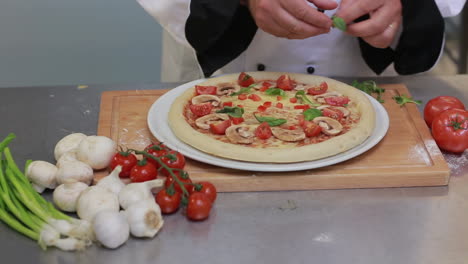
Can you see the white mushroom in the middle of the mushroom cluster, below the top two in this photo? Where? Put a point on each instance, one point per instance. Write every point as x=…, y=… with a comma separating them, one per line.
x=74, y=171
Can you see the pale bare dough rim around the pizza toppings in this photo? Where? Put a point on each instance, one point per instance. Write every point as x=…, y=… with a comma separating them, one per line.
x=330, y=147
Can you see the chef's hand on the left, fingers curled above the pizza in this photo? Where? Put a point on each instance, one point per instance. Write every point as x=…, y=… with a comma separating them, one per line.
x=293, y=19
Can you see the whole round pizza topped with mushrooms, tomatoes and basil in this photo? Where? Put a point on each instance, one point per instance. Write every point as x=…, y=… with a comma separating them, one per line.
x=272, y=117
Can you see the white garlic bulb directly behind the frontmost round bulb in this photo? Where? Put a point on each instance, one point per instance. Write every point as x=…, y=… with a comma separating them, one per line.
x=96, y=199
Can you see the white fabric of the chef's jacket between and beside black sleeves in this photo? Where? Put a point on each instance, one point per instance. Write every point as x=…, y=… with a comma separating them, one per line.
x=334, y=54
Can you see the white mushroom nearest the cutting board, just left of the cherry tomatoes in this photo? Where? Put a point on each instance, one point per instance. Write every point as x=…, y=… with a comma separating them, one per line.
x=96, y=151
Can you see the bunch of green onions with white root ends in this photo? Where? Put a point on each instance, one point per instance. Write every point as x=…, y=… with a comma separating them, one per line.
x=27, y=212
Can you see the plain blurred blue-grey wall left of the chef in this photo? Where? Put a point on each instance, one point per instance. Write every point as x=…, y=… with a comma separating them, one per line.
x=54, y=42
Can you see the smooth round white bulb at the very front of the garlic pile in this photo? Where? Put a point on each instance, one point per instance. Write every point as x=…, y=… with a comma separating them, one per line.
x=111, y=228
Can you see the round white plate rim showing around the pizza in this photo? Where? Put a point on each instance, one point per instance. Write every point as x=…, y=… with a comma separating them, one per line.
x=157, y=123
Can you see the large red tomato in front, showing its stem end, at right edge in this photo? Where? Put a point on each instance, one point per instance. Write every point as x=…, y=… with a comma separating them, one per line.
x=450, y=130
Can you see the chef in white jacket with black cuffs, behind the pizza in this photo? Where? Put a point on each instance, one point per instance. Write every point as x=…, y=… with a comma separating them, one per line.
x=203, y=38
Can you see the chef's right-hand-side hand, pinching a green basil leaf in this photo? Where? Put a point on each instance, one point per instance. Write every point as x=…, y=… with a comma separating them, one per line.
x=382, y=26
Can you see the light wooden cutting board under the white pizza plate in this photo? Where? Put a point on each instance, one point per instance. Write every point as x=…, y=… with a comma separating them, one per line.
x=407, y=156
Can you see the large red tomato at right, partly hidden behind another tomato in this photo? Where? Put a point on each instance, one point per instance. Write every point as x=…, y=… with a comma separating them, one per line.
x=437, y=105
